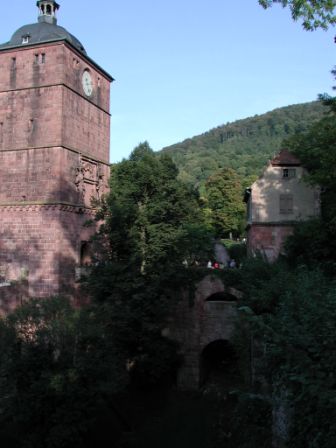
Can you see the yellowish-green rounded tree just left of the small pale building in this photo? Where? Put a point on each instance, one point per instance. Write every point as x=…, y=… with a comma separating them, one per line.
x=224, y=195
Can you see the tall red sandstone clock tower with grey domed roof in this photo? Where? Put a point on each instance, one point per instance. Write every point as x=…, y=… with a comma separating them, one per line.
x=54, y=155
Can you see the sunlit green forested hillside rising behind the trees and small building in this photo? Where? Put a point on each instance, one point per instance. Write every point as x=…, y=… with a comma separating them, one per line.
x=244, y=145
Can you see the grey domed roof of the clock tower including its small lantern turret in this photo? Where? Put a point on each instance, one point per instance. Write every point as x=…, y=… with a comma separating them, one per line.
x=45, y=30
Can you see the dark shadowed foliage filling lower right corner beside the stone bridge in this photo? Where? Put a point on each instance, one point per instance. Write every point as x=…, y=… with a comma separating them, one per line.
x=291, y=313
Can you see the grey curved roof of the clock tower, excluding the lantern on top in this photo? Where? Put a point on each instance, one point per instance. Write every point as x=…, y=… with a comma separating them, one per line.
x=42, y=32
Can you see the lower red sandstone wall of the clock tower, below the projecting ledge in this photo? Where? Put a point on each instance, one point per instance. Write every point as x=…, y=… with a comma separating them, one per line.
x=42, y=244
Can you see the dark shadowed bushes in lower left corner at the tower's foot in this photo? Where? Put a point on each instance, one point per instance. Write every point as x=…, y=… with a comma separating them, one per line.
x=49, y=355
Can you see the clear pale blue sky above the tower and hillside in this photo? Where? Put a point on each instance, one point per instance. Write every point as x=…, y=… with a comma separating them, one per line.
x=183, y=67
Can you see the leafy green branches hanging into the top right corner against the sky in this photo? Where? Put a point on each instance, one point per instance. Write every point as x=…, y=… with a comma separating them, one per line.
x=314, y=13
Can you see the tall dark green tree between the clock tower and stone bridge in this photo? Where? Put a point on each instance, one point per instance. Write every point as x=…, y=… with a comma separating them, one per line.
x=153, y=235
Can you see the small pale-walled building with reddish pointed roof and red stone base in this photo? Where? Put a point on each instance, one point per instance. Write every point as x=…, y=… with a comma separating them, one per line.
x=276, y=201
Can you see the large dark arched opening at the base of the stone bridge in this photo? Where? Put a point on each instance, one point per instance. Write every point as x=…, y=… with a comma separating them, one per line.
x=219, y=364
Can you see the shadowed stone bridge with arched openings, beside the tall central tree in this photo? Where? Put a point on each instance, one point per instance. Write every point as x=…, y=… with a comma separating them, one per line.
x=204, y=328
